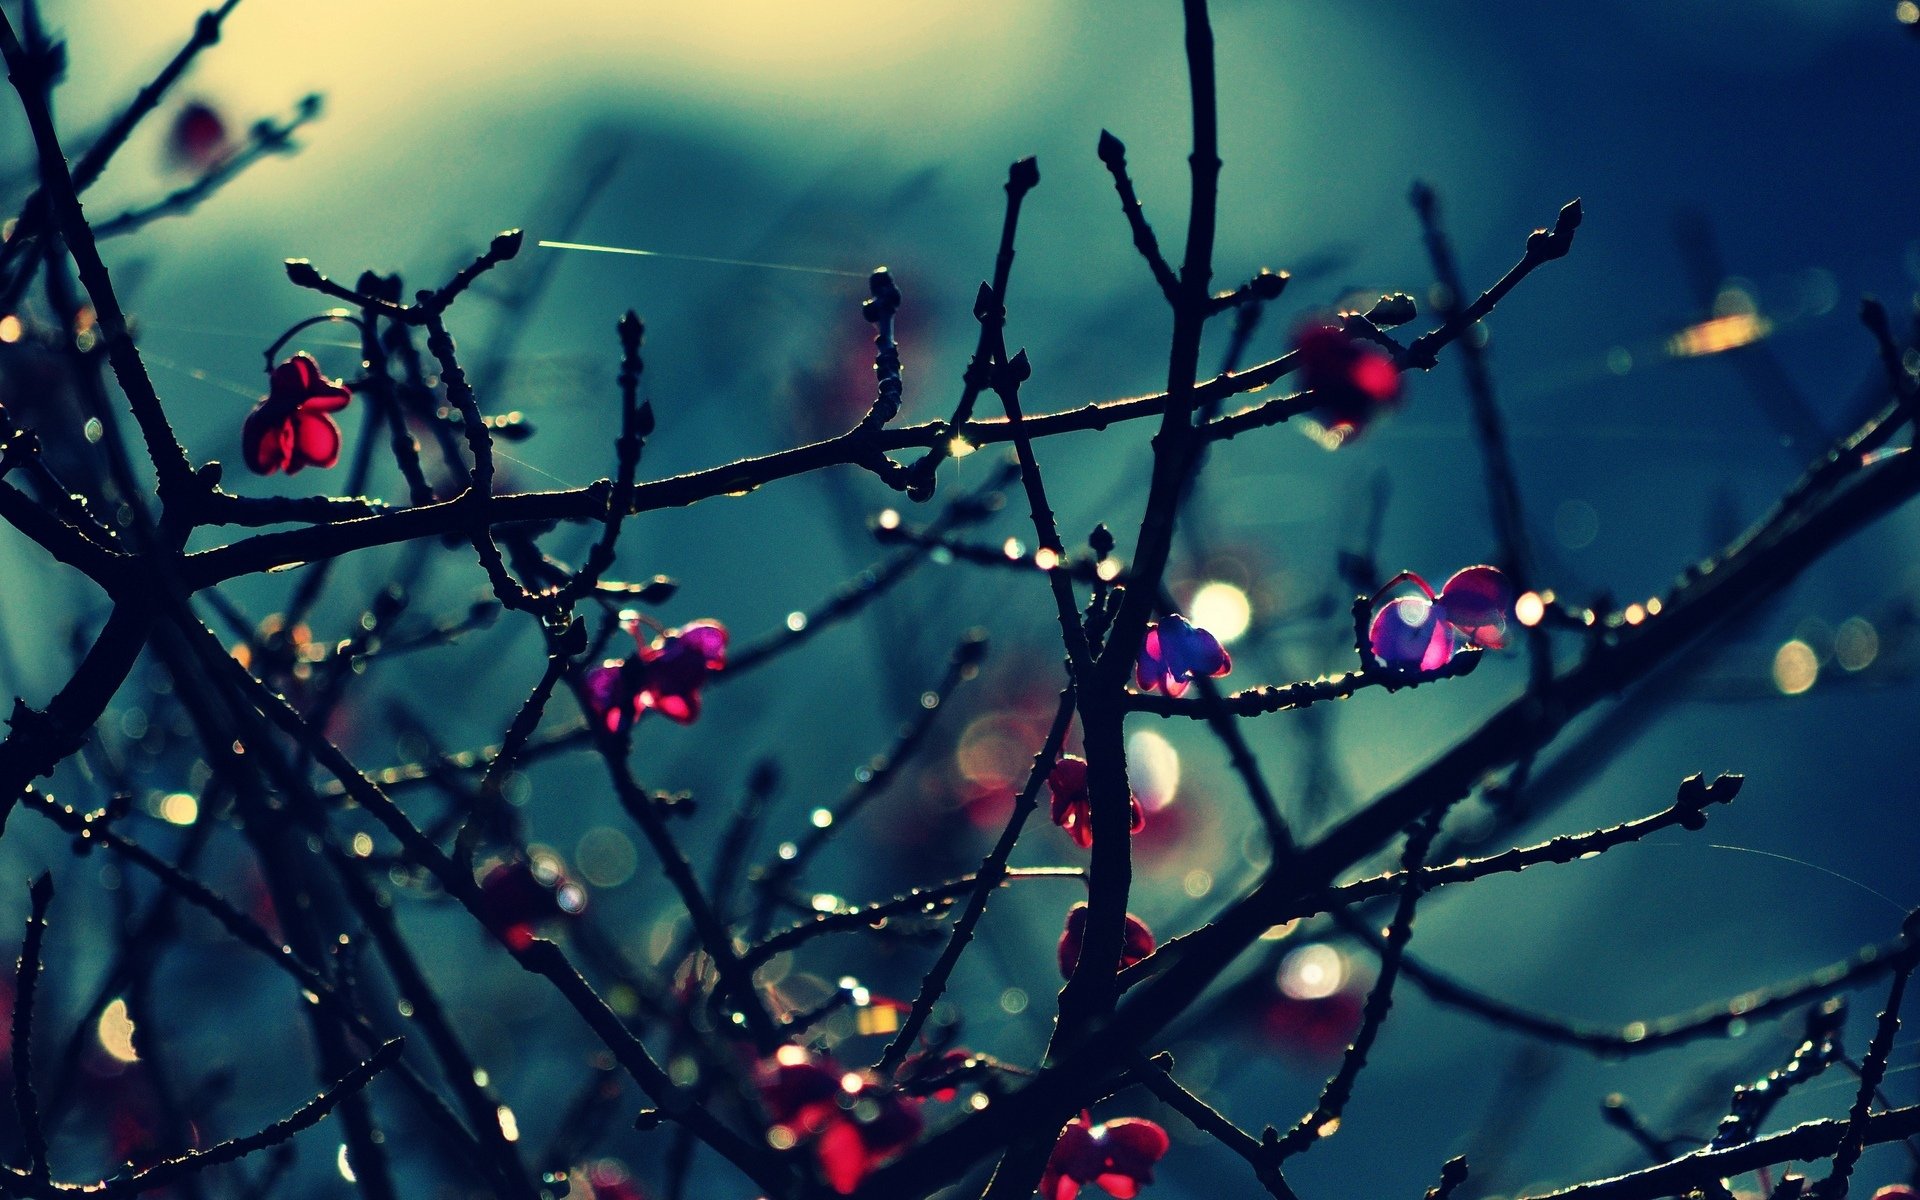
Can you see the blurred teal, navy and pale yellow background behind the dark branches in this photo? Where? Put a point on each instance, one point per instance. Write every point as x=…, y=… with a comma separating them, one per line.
x=1748, y=164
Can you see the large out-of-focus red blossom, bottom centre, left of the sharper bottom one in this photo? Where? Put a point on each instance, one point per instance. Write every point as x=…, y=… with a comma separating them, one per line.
x=855, y=1122
